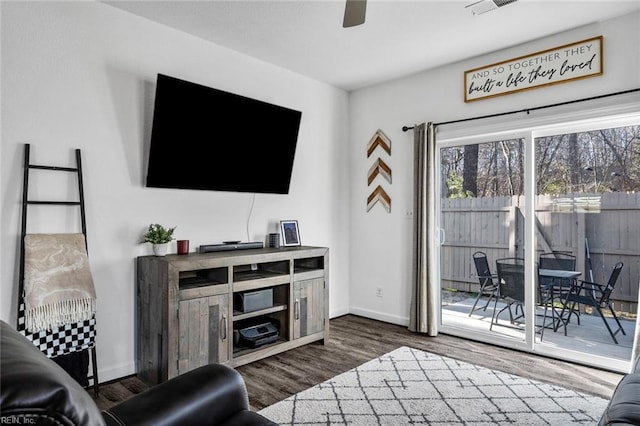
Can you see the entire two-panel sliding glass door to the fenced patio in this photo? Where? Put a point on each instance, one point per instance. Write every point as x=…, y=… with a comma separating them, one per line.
x=534, y=223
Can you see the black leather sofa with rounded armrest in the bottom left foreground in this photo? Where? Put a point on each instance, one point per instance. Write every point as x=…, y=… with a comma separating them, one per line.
x=36, y=391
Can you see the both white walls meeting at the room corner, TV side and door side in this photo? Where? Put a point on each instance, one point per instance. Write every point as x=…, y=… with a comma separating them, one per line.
x=81, y=75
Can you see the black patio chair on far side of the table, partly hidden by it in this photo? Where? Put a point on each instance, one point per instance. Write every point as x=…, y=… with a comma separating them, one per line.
x=552, y=290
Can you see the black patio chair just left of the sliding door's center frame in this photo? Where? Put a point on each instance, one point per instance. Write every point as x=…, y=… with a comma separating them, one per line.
x=511, y=288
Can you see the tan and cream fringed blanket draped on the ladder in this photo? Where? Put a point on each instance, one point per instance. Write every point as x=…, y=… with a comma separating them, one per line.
x=58, y=287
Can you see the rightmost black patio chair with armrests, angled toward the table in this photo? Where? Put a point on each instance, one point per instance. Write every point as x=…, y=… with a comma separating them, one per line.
x=598, y=297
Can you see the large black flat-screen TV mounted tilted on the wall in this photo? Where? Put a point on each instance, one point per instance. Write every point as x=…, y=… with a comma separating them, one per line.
x=209, y=139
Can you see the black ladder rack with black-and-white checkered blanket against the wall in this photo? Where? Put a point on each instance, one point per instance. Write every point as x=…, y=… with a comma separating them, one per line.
x=69, y=345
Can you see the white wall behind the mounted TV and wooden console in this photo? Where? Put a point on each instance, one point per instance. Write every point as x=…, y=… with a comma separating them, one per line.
x=82, y=75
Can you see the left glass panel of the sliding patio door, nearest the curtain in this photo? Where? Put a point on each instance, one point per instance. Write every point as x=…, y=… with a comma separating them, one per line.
x=481, y=215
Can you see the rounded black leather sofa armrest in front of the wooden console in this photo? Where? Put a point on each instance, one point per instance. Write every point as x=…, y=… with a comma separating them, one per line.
x=207, y=395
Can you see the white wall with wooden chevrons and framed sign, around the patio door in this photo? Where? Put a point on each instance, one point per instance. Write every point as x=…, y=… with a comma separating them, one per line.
x=382, y=242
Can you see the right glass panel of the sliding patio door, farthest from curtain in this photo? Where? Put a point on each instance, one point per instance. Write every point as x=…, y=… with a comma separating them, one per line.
x=588, y=222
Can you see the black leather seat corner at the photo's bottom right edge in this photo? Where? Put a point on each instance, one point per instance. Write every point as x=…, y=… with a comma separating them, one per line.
x=624, y=406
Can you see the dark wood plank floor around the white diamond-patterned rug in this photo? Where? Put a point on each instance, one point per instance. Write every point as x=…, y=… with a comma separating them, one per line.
x=354, y=340
